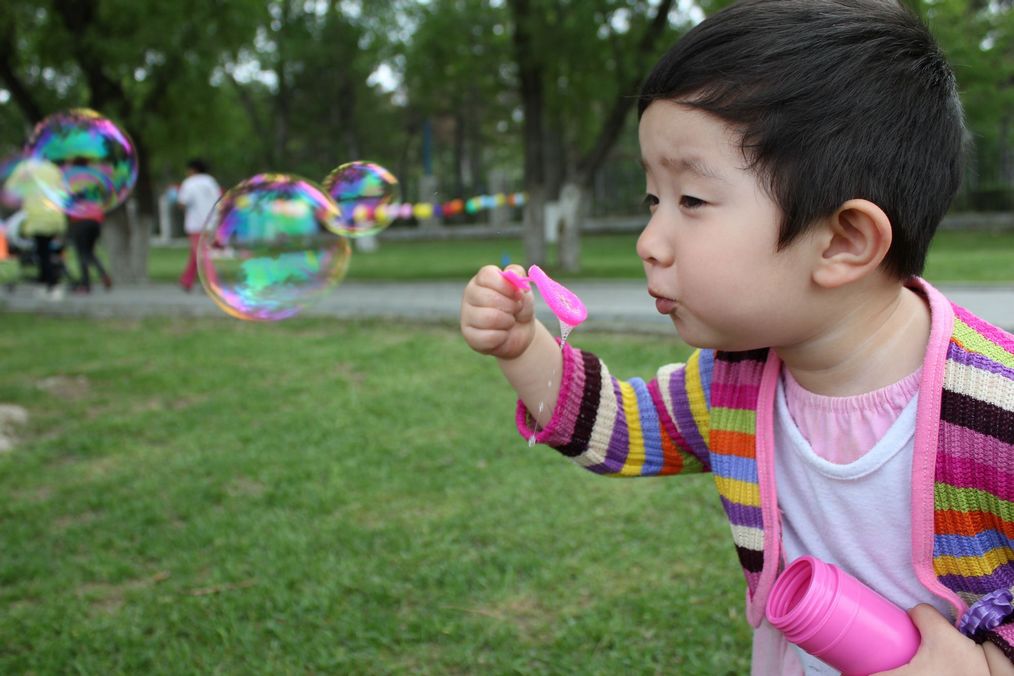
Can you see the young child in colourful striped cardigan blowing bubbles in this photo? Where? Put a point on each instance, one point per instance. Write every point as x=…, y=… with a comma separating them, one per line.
x=800, y=156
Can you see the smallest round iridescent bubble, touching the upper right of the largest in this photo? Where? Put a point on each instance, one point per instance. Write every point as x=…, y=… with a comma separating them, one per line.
x=363, y=191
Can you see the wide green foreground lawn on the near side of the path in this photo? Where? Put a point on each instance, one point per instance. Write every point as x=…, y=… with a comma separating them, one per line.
x=322, y=497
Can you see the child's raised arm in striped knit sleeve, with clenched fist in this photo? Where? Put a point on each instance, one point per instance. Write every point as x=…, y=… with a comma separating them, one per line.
x=571, y=402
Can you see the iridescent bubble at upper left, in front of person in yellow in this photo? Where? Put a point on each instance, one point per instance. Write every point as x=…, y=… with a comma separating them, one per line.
x=98, y=159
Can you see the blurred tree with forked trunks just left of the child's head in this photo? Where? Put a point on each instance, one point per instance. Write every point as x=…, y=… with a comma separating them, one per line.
x=581, y=66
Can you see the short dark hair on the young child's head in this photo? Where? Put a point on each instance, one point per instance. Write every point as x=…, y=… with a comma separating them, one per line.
x=835, y=100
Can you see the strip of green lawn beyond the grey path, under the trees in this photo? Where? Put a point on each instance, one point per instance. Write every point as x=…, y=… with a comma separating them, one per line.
x=955, y=257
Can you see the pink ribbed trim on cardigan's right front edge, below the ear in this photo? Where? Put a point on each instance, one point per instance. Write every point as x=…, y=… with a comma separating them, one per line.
x=925, y=455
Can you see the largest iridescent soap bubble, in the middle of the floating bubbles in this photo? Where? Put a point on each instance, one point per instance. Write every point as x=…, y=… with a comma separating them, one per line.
x=268, y=251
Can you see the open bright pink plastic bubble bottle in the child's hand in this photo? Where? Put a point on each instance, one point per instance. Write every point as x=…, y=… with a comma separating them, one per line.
x=839, y=620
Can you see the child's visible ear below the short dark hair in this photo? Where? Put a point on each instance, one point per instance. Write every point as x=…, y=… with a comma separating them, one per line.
x=853, y=244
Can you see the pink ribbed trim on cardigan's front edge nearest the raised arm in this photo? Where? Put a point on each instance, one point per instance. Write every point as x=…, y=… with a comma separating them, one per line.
x=765, y=442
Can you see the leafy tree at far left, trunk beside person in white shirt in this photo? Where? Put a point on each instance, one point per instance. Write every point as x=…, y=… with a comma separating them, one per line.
x=118, y=57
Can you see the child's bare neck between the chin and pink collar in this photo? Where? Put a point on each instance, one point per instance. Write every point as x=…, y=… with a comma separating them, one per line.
x=879, y=338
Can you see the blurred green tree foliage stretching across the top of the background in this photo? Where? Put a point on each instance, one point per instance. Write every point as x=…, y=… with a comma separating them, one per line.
x=303, y=86
